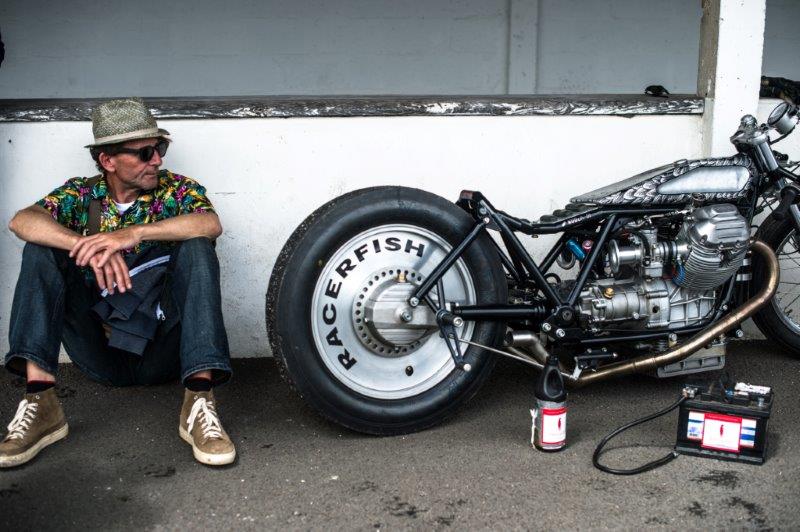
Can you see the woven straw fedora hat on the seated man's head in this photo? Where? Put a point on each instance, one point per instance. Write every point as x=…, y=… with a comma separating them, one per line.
x=122, y=120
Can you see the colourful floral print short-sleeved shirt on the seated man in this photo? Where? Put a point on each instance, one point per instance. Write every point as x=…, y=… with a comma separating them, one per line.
x=174, y=195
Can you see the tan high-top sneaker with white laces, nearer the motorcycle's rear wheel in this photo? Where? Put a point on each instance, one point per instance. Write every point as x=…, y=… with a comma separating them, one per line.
x=200, y=427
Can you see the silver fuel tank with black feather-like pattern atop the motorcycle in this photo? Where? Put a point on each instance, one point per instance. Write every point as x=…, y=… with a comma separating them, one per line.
x=719, y=179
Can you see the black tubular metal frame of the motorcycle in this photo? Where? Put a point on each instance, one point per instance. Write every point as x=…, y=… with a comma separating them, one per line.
x=556, y=316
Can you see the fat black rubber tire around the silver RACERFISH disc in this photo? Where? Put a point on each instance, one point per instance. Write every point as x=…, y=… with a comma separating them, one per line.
x=290, y=297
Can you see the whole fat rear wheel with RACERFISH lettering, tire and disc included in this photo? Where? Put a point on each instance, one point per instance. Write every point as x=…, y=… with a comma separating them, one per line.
x=338, y=319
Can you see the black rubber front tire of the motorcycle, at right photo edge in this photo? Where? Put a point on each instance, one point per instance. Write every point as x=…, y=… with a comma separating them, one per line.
x=768, y=319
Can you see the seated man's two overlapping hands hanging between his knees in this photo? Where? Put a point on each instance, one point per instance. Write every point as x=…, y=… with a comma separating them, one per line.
x=102, y=252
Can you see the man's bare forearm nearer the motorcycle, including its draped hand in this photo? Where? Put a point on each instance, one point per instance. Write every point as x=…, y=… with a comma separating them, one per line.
x=183, y=227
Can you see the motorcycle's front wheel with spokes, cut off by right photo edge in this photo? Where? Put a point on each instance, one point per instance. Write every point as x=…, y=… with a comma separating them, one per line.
x=779, y=319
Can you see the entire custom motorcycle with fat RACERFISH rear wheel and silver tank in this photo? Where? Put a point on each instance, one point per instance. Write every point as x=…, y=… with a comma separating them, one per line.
x=388, y=305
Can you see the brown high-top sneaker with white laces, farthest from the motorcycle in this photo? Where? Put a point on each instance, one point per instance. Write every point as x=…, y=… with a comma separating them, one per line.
x=39, y=422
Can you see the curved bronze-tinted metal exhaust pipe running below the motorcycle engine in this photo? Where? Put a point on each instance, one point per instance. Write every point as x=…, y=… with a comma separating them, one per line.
x=682, y=351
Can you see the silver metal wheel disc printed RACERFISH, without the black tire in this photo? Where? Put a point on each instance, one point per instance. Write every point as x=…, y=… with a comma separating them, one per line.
x=414, y=357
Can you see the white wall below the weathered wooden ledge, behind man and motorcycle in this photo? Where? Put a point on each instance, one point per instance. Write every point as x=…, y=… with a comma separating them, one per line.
x=266, y=175
